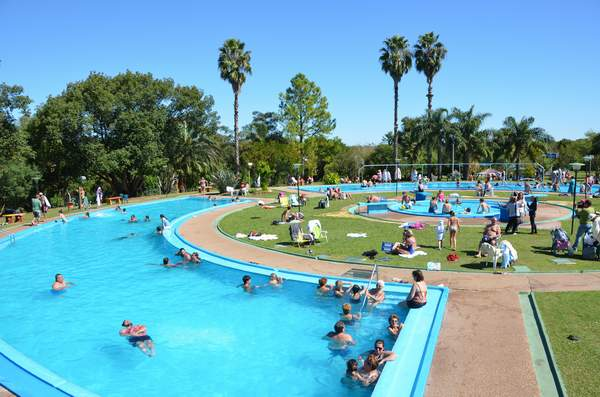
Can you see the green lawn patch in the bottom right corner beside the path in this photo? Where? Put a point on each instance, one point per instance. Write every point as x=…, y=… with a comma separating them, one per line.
x=574, y=313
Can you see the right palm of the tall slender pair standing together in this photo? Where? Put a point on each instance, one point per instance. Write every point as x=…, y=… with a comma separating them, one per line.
x=429, y=54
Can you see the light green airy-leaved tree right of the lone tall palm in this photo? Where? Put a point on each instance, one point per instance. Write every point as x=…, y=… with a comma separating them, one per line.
x=303, y=112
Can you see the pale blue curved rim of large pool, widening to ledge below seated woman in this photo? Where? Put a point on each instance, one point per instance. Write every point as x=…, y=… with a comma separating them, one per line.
x=400, y=377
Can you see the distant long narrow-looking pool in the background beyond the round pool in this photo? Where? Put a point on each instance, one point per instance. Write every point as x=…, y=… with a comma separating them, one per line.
x=412, y=186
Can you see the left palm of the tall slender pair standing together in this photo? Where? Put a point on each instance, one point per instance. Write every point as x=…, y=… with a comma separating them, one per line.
x=396, y=60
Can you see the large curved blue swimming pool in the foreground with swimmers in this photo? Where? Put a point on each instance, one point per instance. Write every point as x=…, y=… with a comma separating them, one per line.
x=211, y=339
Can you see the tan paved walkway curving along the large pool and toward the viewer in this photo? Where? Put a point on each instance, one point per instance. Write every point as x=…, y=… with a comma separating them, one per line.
x=482, y=348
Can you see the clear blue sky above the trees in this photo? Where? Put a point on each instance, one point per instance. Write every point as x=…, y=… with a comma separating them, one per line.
x=533, y=58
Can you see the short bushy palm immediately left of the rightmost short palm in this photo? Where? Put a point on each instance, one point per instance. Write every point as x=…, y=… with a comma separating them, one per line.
x=470, y=139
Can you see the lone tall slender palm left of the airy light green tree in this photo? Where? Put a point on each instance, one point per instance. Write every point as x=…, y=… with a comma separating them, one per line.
x=234, y=64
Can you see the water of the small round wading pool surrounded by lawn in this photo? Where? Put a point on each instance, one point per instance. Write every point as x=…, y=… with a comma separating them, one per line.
x=421, y=208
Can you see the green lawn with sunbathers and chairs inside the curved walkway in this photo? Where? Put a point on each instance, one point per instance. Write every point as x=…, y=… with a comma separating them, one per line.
x=534, y=250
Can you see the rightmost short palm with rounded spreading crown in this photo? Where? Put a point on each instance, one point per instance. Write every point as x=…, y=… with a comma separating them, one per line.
x=522, y=140
